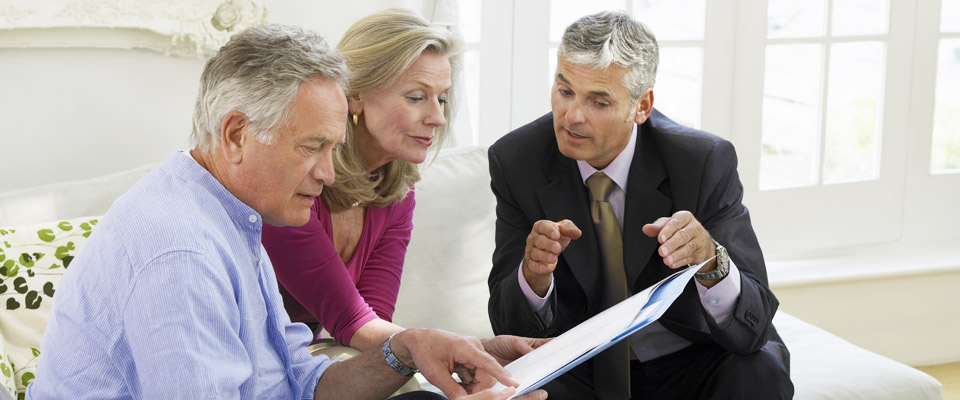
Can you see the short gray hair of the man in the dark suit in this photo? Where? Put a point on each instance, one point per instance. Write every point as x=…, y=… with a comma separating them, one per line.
x=608, y=37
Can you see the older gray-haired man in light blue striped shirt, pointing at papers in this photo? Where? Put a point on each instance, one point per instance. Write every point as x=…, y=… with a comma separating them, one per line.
x=174, y=297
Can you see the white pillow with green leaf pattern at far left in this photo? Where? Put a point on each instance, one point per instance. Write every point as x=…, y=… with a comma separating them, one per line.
x=32, y=261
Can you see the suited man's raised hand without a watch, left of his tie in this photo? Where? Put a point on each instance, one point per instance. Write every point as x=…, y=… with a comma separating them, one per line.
x=546, y=241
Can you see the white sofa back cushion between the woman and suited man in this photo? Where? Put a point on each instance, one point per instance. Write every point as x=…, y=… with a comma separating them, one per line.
x=444, y=282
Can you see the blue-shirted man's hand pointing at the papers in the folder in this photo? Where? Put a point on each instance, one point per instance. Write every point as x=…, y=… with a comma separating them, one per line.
x=438, y=354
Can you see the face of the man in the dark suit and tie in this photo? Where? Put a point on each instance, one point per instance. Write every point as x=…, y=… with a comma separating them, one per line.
x=593, y=113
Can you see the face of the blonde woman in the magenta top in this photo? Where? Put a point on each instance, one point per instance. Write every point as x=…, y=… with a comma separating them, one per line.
x=401, y=120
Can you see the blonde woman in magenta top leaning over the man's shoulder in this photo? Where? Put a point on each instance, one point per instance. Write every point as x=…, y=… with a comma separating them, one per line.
x=341, y=271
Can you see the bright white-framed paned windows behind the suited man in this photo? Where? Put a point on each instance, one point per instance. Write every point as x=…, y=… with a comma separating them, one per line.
x=844, y=112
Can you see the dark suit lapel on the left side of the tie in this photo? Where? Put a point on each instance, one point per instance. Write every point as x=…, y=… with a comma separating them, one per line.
x=565, y=197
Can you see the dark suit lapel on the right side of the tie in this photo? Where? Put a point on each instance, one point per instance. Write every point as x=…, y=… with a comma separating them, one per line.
x=644, y=204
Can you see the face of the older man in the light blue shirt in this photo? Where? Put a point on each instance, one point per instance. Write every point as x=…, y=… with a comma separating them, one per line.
x=282, y=179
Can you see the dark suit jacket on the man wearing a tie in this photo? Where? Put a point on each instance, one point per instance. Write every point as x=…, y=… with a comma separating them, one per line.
x=674, y=168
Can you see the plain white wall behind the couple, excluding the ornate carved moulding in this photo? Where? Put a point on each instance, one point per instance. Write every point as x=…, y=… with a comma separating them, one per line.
x=75, y=113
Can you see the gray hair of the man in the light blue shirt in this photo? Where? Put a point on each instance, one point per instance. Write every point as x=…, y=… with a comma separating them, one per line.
x=258, y=72
